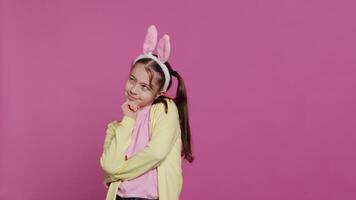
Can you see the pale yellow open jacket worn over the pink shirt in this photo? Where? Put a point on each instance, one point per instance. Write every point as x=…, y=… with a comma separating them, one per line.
x=163, y=152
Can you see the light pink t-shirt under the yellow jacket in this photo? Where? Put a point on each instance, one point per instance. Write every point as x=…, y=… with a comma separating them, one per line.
x=144, y=186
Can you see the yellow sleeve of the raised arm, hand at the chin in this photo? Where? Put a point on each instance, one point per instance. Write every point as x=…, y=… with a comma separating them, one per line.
x=116, y=142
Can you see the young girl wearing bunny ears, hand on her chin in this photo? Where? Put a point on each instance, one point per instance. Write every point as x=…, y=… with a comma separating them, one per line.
x=142, y=153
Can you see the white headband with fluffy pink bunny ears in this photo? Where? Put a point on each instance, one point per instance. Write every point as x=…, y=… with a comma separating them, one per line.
x=163, y=51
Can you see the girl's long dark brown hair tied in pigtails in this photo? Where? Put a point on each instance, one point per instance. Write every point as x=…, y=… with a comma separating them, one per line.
x=180, y=100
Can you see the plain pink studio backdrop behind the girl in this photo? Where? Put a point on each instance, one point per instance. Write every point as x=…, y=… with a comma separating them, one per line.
x=271, y=87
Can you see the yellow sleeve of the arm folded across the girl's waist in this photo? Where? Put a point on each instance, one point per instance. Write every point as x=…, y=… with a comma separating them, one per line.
x=165, y=132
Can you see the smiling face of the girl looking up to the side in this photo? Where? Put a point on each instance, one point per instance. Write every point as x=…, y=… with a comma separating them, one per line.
x=137, y=87
